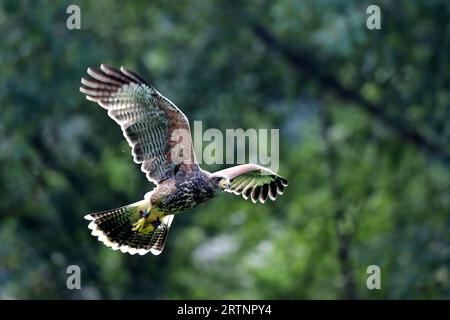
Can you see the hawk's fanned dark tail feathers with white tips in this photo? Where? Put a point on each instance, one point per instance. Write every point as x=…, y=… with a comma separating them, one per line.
x=114, y=229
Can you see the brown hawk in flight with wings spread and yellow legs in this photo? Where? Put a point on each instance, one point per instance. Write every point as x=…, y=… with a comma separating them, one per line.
x=149, y=122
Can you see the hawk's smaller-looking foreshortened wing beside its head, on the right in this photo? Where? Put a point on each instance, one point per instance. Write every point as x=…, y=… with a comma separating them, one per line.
x=255, y=182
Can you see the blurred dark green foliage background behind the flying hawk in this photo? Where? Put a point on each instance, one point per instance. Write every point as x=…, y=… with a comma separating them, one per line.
x=364, y=142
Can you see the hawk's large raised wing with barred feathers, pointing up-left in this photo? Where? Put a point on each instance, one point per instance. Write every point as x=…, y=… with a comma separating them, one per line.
x=157, y=131
